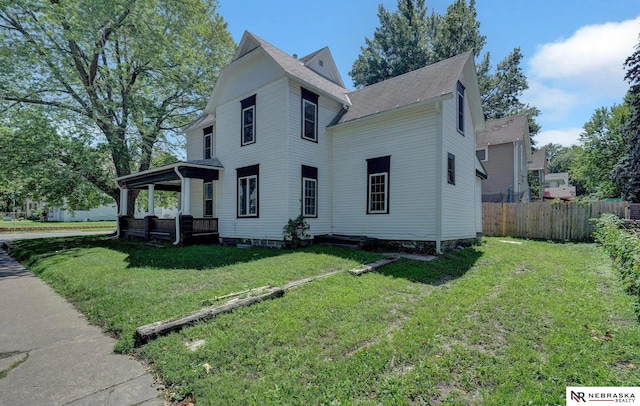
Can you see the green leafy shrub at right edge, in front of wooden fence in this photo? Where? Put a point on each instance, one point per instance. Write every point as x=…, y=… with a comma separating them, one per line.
x=624, y=248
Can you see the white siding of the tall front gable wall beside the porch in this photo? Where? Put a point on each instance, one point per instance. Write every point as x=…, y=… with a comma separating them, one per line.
x=267, y=151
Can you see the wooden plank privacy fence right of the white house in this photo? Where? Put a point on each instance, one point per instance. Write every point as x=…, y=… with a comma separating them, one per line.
x=550, y=221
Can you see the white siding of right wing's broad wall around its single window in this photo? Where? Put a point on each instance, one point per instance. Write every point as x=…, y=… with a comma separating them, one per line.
x=409, y=137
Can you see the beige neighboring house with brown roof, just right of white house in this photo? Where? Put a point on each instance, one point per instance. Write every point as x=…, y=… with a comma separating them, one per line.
x=505, y=151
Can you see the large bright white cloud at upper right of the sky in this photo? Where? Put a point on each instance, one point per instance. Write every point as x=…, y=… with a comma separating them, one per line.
x=592, y=57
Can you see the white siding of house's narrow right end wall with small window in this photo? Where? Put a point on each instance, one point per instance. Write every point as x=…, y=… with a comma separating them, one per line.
x=458, y=201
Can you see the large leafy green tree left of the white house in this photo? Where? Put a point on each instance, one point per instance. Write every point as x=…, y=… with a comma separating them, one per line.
x=118, y=77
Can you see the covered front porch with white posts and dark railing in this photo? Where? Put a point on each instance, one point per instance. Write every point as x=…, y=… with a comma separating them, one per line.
x=176, y=177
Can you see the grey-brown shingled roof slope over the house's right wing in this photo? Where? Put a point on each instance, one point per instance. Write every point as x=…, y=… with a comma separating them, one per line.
x=422, y=84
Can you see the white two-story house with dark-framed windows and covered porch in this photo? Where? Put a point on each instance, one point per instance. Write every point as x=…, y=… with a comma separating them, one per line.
x=282, y=136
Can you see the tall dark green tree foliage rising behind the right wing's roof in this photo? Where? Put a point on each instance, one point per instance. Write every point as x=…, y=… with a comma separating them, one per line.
x=409, y=38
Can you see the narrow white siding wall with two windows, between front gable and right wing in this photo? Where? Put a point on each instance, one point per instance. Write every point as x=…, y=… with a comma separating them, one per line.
x=305, y=152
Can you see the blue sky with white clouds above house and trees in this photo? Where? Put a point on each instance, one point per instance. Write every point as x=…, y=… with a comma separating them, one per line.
x=573, y=50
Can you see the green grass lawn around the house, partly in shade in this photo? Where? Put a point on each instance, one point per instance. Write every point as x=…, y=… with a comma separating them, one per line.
x=497, y=324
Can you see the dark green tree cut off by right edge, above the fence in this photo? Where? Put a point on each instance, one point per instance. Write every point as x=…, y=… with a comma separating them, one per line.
x=627, y=170
